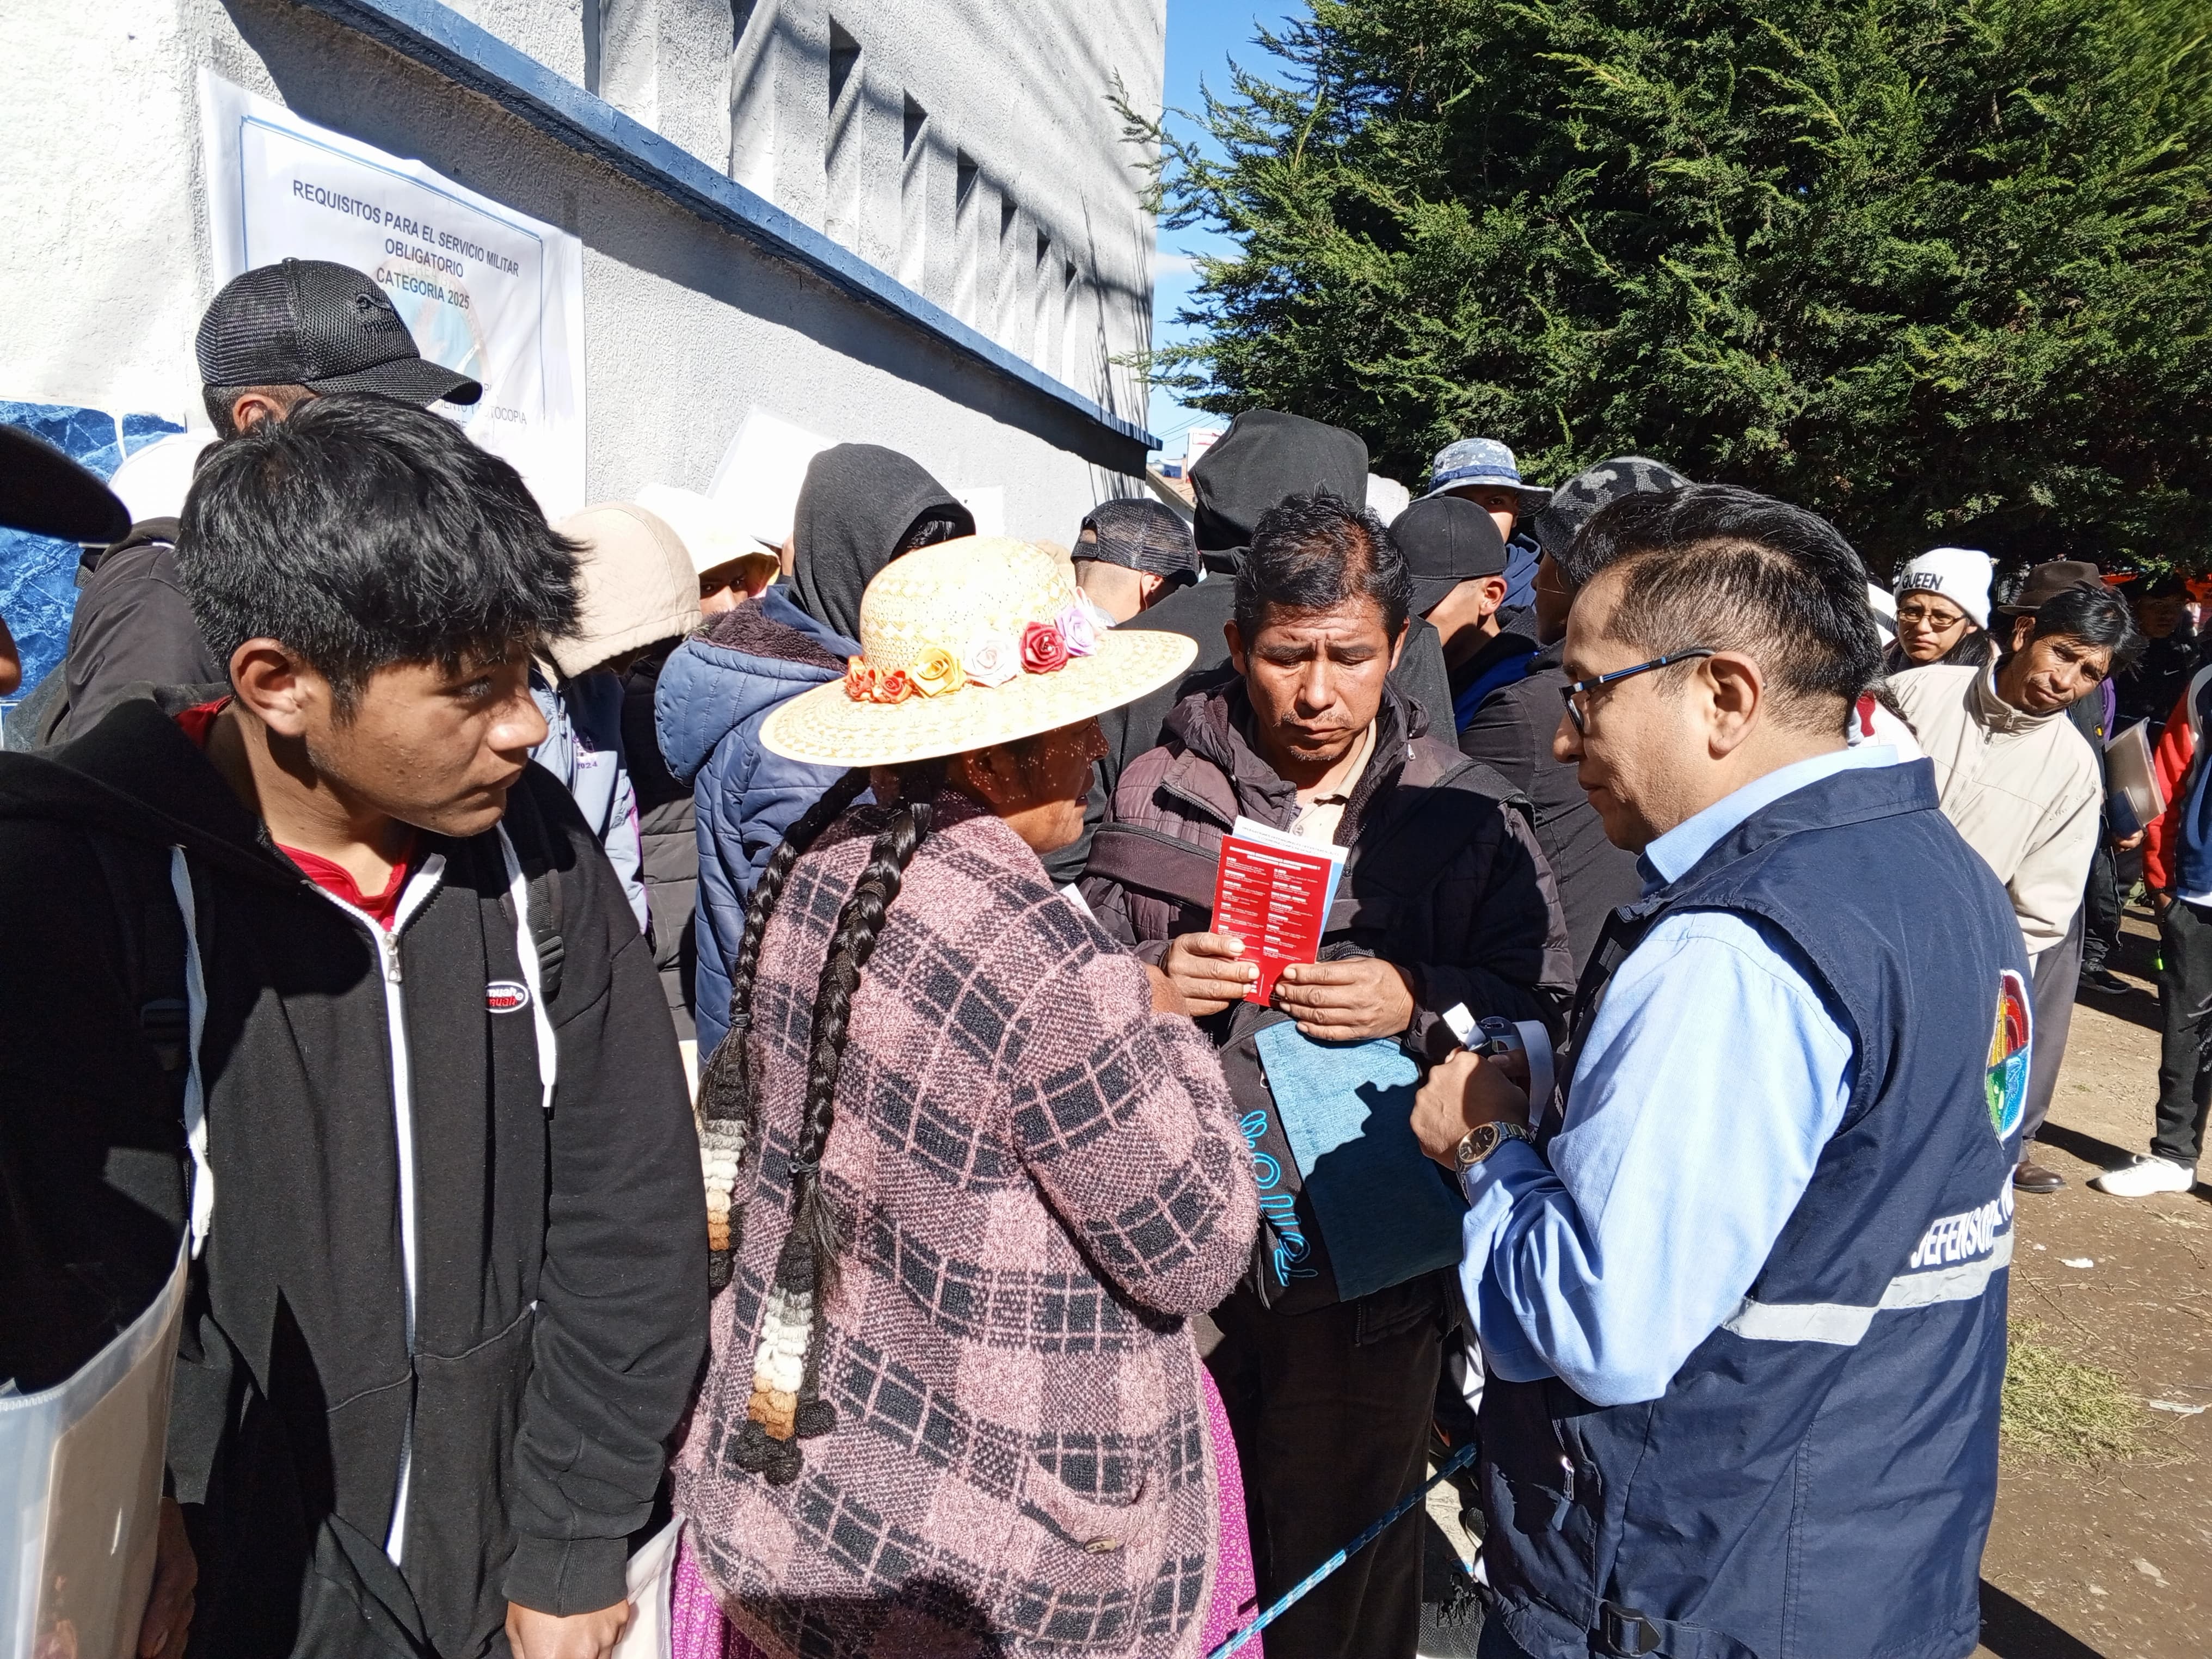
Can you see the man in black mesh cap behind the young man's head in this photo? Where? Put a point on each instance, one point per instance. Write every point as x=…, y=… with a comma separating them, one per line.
x=273, y=340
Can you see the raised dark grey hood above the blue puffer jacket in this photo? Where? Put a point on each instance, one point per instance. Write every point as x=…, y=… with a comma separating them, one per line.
x=853, y=514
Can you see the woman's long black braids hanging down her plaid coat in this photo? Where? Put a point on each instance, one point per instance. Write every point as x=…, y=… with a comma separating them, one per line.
x=786, y=1401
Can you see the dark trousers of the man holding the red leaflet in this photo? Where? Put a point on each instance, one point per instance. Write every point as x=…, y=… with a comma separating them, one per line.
x=1331, y=1415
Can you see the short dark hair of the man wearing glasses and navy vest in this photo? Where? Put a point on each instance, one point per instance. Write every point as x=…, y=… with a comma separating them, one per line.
x=1731, y=570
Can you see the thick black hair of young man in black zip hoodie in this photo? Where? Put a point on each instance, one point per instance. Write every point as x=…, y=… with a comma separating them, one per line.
x=364, y=534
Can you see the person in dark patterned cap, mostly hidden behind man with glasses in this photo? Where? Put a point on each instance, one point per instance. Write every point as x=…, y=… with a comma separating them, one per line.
x=1514, y=727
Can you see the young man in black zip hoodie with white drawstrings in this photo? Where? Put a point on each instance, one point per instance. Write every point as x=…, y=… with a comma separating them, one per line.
x=320, y=972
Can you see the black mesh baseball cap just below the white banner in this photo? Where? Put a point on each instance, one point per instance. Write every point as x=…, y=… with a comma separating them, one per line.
x=328, y=328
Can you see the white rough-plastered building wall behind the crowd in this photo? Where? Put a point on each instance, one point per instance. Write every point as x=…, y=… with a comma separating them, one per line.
x=687, y=324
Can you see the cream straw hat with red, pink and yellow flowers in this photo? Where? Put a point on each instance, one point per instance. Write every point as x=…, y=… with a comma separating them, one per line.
x=968, y=645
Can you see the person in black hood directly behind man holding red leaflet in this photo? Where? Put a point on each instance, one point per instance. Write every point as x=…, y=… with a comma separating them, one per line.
x=1262, y=459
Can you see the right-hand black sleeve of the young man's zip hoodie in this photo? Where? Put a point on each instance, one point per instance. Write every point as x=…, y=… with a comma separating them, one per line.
x=623, y=1295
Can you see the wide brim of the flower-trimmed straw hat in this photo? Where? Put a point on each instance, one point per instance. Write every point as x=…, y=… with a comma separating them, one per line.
x=831, y=729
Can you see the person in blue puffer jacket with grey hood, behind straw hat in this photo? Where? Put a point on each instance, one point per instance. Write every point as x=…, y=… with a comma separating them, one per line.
x=857, y=512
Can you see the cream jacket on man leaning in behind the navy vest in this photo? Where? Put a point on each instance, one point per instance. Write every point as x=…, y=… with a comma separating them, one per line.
x=2023, y=789
